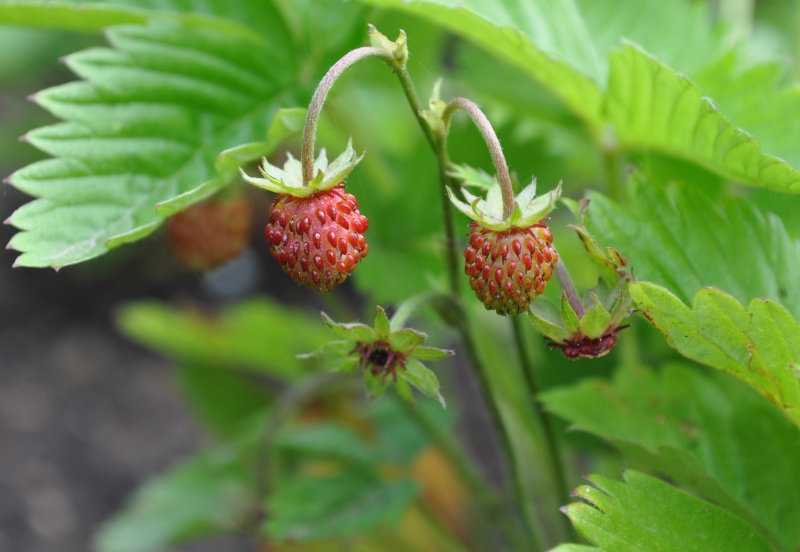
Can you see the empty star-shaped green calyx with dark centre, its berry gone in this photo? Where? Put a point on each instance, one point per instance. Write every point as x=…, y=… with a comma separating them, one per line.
x=385, y=356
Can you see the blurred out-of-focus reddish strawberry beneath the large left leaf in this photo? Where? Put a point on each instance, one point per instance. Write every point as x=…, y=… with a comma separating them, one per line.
x=208, y=234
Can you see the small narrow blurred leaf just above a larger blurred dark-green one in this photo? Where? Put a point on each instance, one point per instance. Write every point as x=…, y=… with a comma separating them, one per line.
x=326, y=440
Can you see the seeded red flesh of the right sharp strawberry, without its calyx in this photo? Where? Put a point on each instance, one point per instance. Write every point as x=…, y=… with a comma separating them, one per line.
x=509, y=269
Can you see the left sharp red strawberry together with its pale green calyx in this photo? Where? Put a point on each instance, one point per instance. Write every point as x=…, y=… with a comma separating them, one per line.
x=315, y=231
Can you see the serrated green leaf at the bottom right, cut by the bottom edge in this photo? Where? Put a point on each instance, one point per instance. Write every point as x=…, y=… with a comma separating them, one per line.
x=645, y=513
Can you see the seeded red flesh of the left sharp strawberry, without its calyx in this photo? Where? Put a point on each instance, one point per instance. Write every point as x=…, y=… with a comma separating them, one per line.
x=318, y=240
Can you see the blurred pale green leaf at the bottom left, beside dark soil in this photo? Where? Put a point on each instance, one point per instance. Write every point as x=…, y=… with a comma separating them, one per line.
x=208, y=494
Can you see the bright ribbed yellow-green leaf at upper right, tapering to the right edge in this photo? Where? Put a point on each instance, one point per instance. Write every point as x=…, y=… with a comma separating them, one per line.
x=654, y=108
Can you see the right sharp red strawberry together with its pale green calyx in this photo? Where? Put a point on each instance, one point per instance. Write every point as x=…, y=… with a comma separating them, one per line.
x=509, y=260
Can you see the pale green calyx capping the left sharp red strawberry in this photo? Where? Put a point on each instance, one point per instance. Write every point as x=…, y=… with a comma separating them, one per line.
x=289, y=179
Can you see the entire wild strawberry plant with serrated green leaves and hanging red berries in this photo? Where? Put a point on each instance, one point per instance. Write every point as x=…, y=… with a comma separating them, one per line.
x=663, y=341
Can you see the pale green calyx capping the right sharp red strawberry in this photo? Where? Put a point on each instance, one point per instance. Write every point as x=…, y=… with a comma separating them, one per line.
x=488, y=212
